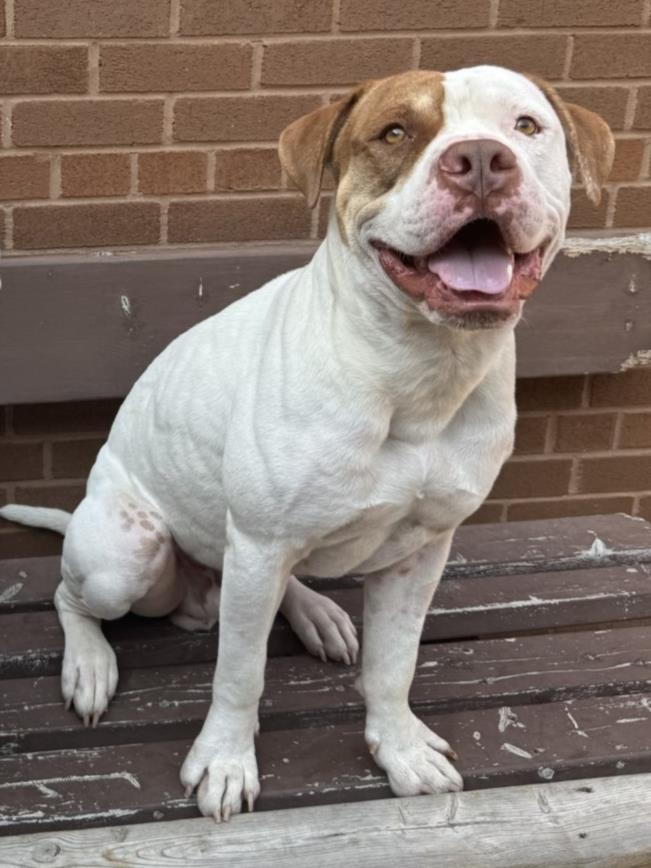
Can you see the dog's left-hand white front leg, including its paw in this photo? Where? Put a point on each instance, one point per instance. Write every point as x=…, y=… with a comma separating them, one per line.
x=222, y=759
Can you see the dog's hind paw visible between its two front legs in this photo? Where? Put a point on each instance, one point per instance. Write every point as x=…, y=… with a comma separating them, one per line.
x=323, y=627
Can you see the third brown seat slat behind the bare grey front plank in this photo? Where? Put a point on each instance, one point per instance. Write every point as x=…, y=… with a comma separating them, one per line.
x=32, y=641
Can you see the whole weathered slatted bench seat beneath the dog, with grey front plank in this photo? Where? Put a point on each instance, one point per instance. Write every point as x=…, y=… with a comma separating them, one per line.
x=535, y=663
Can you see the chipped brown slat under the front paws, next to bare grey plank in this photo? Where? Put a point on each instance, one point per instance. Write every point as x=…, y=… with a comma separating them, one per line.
x=99, y=786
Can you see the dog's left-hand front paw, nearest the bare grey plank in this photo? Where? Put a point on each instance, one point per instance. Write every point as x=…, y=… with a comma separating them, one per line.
x=225, y=779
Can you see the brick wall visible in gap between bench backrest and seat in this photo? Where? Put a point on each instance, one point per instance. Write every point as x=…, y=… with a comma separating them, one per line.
x=583, y=447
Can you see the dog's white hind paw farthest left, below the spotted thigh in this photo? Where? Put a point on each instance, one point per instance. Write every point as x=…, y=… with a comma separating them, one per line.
x=89, y=677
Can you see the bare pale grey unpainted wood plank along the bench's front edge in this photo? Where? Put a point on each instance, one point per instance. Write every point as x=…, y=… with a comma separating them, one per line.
x=556, y=825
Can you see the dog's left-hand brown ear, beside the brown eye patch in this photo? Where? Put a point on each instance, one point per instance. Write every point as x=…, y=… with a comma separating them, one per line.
x=305, y=146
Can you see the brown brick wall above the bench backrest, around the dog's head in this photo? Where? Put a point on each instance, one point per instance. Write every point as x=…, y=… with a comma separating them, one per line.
x=154, y=122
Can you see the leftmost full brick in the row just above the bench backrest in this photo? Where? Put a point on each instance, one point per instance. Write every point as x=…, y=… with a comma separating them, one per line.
x=98, y=225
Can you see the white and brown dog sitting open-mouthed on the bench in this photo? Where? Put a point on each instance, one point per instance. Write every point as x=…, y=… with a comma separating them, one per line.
x=344, y=418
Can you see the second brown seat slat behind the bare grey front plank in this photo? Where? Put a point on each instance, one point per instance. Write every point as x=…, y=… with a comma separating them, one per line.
x=171, y=702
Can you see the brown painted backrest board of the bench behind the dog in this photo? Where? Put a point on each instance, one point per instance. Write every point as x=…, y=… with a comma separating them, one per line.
x=74, y=327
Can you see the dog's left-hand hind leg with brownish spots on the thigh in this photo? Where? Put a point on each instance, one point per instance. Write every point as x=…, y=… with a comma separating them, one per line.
x=117, y=557
